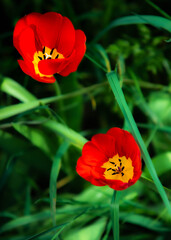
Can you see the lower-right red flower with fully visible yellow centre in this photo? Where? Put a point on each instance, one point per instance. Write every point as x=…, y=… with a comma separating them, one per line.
x=112, y=159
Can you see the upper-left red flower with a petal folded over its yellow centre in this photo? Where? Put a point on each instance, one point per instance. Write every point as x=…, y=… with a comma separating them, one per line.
x=48, y=44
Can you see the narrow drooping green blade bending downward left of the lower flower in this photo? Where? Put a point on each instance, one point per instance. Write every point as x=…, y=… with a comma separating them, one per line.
x=53, y=179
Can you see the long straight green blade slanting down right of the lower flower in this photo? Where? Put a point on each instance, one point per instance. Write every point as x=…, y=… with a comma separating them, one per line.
x=114, y=83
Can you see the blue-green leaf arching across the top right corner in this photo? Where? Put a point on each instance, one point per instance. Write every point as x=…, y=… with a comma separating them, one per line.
x=156, y=21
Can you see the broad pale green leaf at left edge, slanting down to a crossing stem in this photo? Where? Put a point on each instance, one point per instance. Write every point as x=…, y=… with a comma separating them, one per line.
x=14, y=89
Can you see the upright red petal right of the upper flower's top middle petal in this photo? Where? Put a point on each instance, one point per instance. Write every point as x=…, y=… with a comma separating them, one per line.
x=66, y=41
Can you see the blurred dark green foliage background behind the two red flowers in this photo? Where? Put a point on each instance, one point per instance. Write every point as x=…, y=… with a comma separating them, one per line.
x=31, y=140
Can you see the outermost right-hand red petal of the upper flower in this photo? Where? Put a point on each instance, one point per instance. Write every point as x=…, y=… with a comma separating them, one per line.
x=80, y=49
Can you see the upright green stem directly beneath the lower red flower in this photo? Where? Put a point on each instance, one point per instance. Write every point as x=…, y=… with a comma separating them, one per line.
x=115, y=214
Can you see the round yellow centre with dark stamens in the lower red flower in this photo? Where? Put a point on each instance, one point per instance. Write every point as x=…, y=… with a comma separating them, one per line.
x=119, y=168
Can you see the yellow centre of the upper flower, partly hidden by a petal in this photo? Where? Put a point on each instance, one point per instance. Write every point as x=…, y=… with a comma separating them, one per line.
x=45, y=54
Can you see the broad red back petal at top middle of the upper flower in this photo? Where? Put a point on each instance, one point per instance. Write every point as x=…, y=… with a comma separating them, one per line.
x=48, y=28
